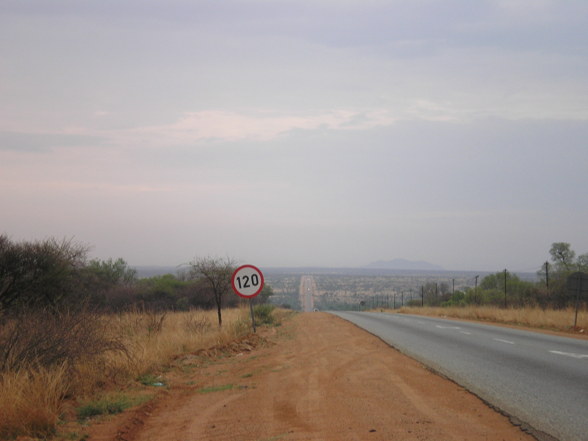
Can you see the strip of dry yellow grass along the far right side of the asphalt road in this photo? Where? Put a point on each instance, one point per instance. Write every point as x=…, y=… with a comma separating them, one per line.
x=557, y=320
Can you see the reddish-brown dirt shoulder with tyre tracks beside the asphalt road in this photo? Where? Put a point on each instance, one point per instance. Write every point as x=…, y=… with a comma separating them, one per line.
x=317, y=378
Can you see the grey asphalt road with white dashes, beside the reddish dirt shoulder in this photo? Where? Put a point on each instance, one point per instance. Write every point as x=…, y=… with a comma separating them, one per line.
x=540, y=379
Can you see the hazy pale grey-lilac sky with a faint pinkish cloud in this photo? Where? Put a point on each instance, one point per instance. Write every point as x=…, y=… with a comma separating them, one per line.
x=297, y=132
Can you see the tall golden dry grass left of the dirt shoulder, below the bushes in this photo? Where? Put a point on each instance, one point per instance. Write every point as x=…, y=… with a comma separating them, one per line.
x=32, y=398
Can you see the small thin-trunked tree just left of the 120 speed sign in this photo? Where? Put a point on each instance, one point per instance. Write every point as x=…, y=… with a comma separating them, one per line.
x=216, y=273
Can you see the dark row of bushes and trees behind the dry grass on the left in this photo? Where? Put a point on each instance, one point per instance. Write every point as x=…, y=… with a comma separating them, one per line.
x=53, y=274
